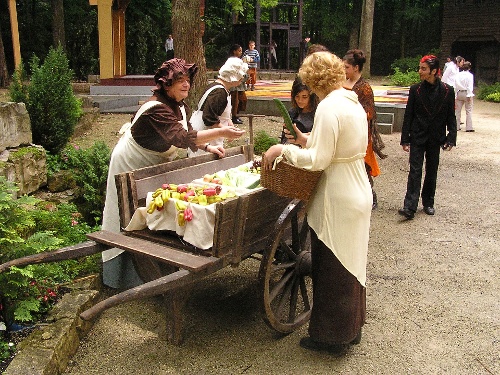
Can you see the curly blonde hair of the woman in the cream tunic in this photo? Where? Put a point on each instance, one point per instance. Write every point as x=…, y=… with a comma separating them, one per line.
x=323, y=72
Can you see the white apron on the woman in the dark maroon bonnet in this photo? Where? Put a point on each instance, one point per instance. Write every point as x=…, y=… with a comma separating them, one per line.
x=127, y=156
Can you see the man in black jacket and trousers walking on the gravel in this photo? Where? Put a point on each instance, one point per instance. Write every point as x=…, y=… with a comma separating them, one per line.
x=430, y=111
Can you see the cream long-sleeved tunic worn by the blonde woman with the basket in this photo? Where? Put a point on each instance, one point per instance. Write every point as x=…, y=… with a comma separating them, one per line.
x=340, y=209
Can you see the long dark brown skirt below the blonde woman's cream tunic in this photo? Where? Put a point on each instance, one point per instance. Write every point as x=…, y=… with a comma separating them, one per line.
x=339, y=300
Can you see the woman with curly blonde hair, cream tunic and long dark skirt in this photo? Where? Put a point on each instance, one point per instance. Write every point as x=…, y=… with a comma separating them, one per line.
x=339, y=211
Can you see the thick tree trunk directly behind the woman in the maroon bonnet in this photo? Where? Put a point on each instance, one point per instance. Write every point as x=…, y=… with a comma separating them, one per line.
x=187, y=31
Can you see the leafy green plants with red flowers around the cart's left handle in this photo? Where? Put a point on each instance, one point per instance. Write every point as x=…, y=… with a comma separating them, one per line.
x=29, y=226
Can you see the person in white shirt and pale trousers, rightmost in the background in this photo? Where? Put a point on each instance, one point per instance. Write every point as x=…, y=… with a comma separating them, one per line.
x=464, y=86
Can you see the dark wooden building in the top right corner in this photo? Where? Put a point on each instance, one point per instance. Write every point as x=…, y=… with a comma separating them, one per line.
x=471, y=29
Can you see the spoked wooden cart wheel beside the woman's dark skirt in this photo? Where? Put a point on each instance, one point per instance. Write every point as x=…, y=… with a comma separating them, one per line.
x=285, y=271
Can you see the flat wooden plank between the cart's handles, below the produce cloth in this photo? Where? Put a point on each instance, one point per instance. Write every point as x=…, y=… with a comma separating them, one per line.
x=181, y=259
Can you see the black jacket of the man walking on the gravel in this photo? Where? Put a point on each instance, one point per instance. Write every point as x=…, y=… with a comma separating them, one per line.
x=430, y=111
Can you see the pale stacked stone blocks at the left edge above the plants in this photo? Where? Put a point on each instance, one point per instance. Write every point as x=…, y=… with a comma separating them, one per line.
x=20, y=161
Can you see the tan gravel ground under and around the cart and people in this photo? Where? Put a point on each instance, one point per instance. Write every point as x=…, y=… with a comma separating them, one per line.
x=432, y=291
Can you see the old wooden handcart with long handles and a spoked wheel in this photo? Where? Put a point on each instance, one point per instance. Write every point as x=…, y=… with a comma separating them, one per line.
x=258, y=225
